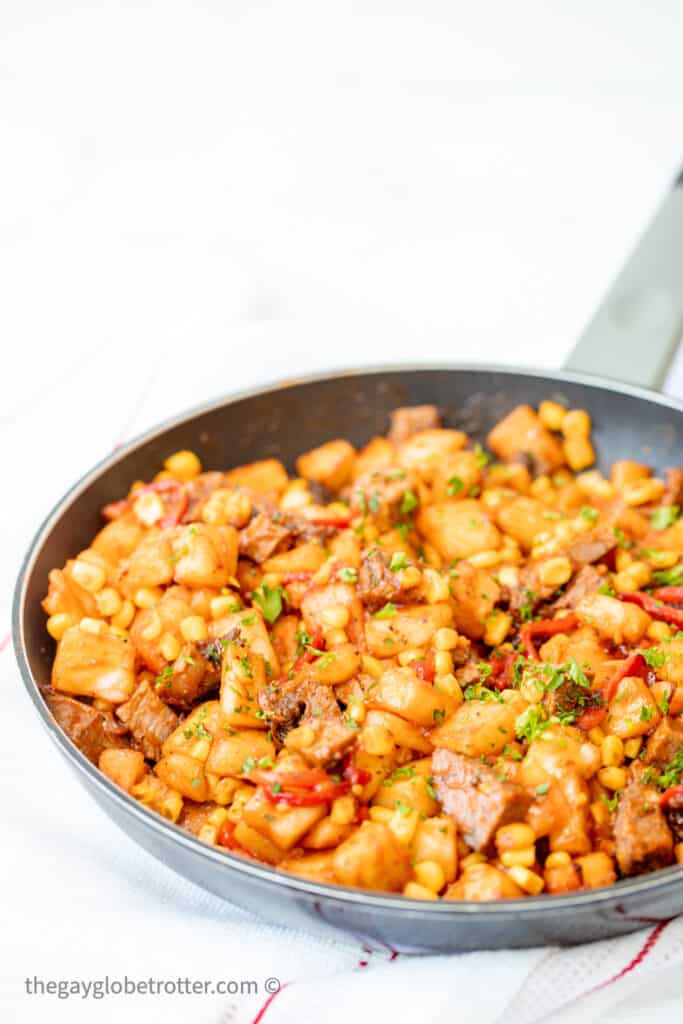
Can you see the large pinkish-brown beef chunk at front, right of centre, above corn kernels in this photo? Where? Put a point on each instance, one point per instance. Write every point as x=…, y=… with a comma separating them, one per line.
x=476, y=797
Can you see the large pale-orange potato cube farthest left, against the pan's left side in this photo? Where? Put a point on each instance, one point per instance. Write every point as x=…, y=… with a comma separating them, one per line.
x=95, y=666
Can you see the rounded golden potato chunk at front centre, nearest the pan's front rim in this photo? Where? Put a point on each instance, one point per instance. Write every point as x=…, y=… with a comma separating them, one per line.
x=374, y=859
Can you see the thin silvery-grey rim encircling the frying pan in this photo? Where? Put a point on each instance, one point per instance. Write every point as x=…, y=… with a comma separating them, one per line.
x=526, y=908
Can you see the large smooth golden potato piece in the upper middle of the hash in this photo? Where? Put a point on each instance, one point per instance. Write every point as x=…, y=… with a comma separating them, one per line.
x=458, y=530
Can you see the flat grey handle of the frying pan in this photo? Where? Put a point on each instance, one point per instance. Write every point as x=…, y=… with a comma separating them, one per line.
x=633, y=335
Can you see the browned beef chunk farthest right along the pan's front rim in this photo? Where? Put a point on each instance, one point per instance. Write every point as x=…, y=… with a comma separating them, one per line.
x=644, y=840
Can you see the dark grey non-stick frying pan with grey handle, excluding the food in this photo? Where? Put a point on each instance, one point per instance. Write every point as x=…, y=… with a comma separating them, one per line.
x=632, y=336
